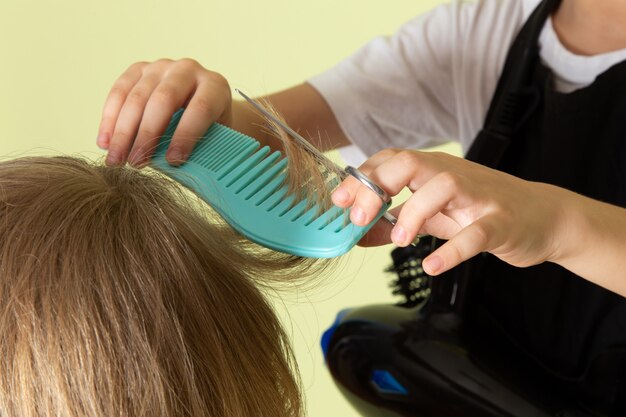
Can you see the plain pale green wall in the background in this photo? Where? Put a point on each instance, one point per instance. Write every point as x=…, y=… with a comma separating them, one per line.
x=58, y=59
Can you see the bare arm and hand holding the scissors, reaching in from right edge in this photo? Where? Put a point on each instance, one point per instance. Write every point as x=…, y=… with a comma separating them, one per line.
x=479, y=209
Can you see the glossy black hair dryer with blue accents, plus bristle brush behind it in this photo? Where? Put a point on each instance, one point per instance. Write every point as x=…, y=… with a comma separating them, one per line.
x=424, y=357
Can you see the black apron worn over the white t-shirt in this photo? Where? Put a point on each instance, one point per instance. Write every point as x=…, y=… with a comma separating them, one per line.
x=572, y=328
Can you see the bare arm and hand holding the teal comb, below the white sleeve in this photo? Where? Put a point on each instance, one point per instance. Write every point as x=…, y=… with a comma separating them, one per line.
x=142, y=101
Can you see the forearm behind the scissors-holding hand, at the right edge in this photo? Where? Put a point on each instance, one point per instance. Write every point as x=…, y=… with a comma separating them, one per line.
x=592, y=241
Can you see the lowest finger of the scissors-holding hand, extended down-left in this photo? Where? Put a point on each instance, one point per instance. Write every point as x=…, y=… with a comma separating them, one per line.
x=476, y=238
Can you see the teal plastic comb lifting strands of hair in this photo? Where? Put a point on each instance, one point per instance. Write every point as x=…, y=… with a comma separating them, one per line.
x=246, y=185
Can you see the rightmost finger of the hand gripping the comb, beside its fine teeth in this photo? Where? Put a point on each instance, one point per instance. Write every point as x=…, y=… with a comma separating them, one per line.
x=210, y=103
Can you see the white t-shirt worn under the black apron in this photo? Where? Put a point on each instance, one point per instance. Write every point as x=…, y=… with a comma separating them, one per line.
x=433, y=80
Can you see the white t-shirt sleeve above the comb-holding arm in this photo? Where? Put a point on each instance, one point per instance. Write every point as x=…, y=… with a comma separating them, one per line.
x=395, y=91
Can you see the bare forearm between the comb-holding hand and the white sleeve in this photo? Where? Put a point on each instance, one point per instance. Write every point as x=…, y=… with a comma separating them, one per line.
x=303, y=108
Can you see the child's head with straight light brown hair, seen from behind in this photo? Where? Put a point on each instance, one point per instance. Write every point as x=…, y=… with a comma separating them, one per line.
x=119, y=297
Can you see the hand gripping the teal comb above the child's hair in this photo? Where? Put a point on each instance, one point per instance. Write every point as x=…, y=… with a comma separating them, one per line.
x=143, y=100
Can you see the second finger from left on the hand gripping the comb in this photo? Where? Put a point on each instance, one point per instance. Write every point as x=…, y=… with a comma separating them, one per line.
x=129, y=119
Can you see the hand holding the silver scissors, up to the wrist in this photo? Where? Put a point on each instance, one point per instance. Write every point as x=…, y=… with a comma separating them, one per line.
x=478, y=209
